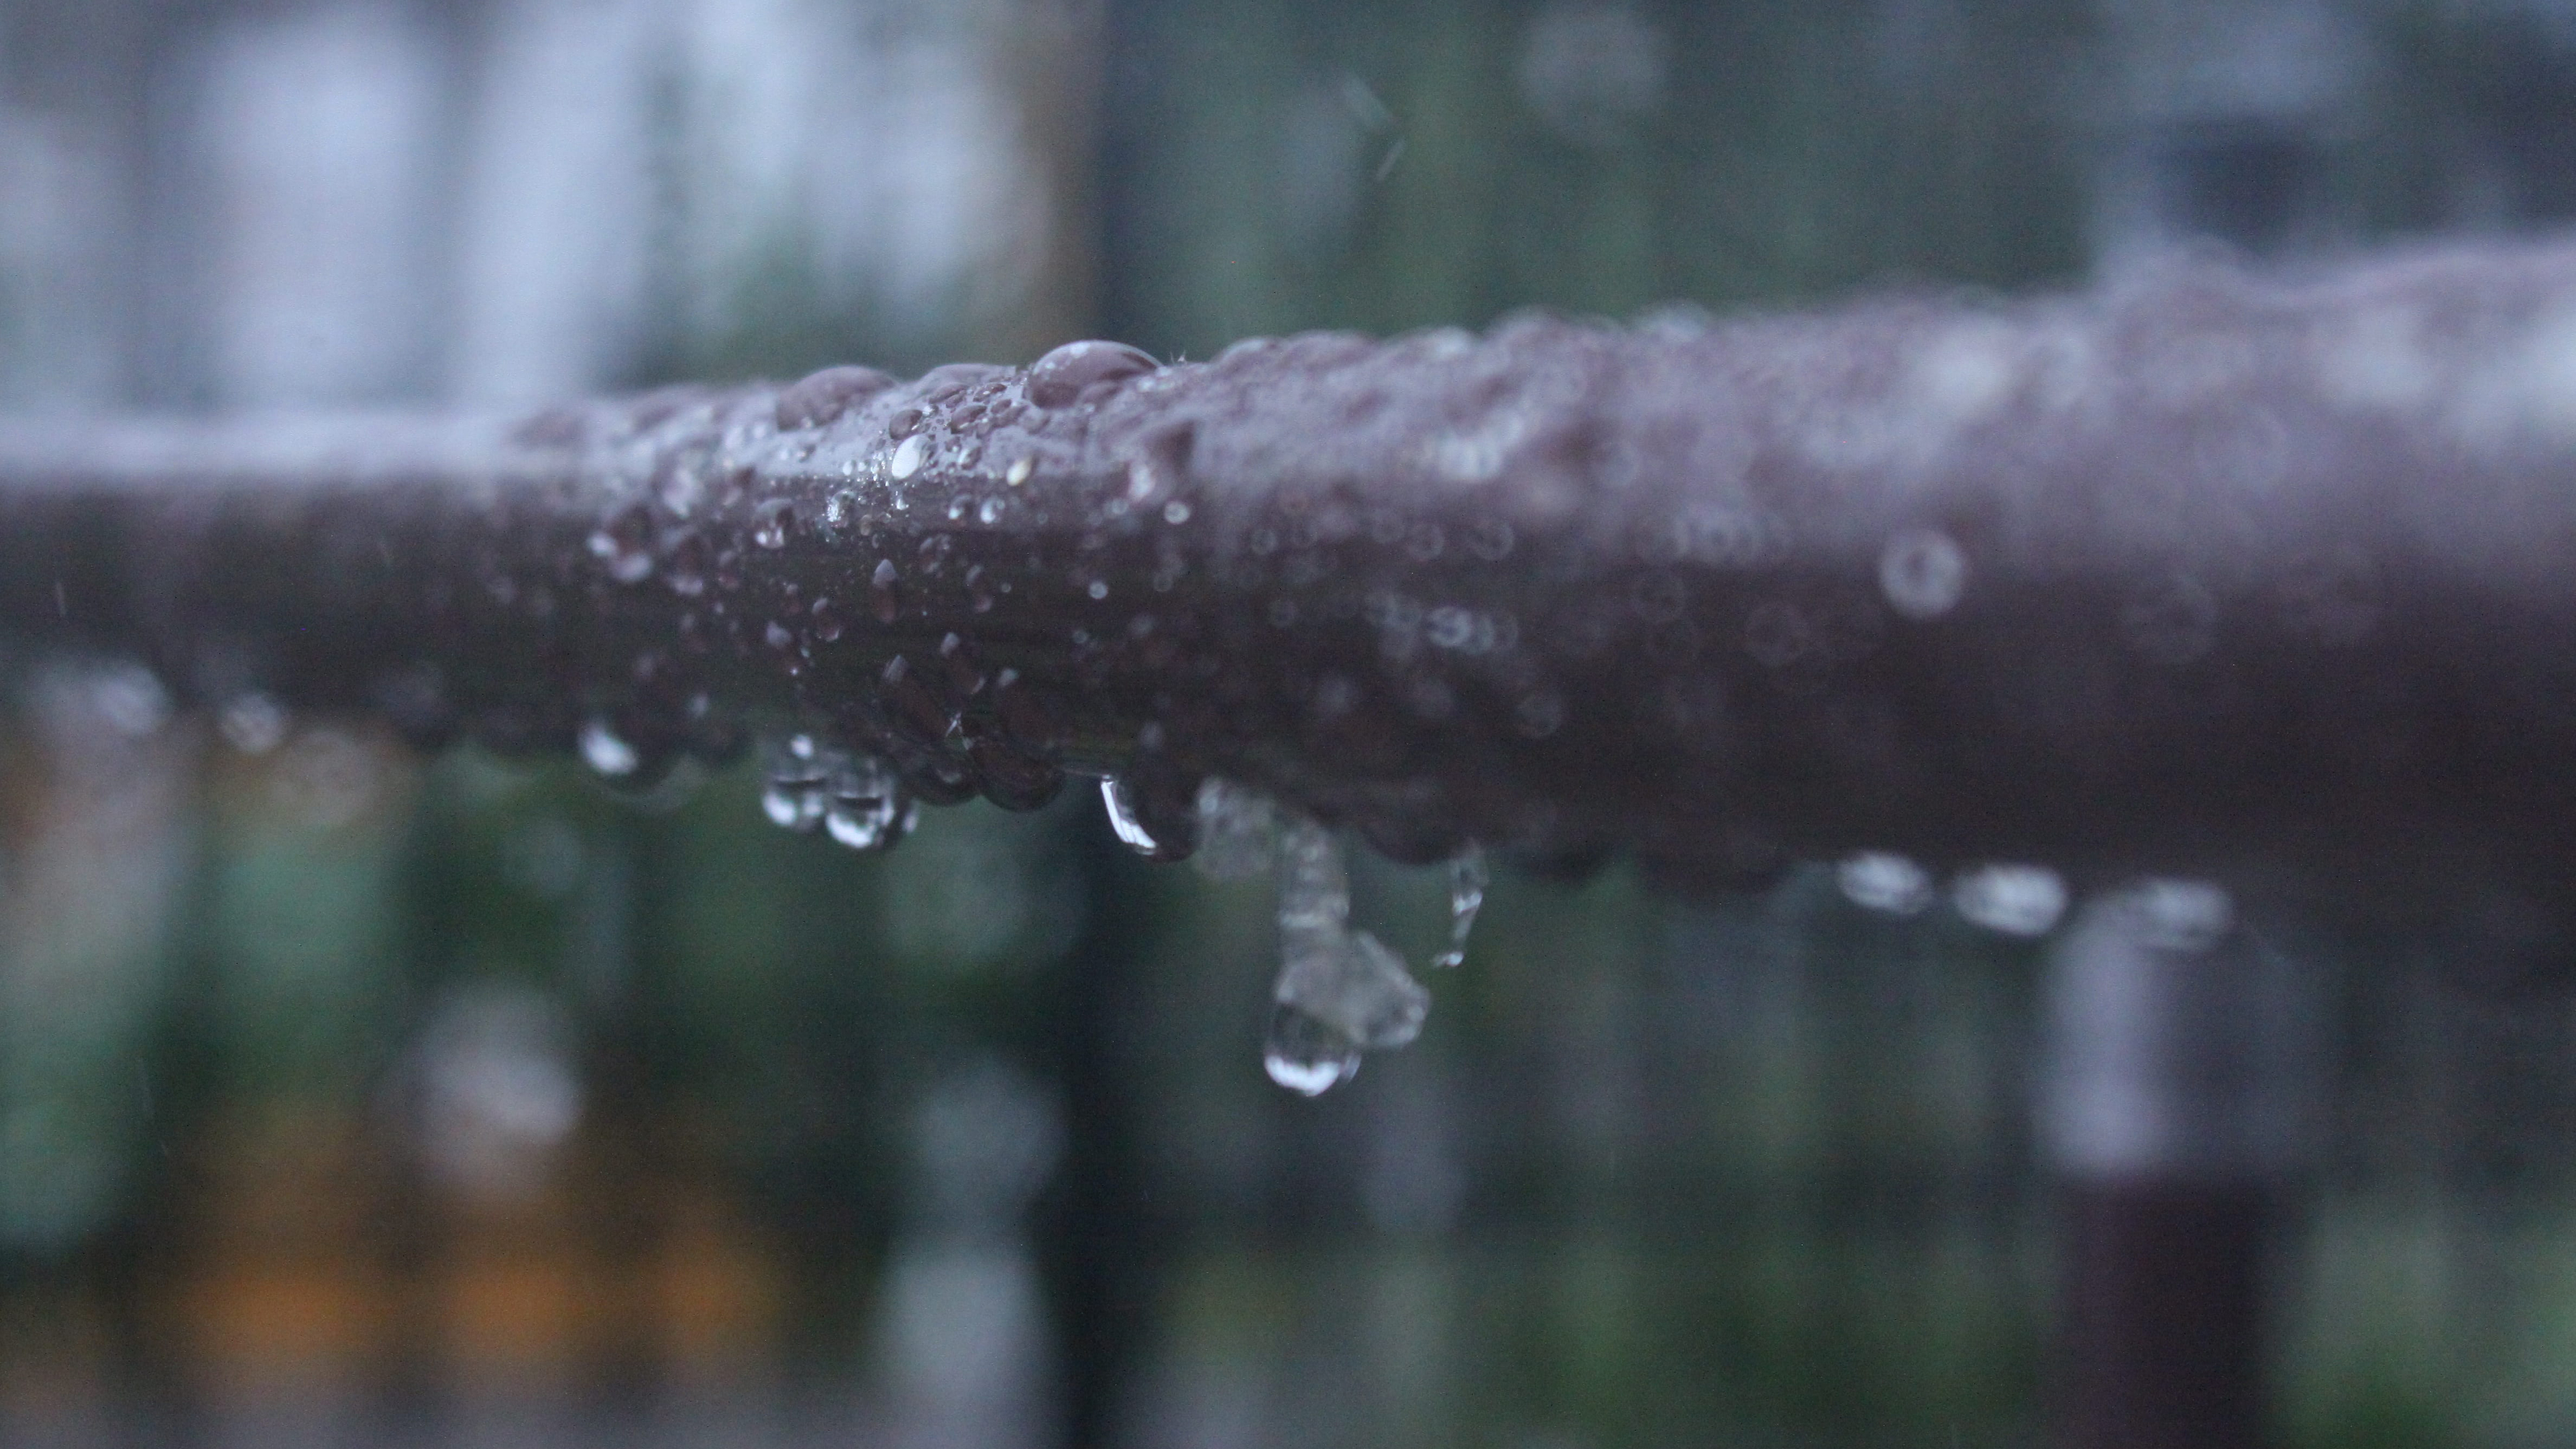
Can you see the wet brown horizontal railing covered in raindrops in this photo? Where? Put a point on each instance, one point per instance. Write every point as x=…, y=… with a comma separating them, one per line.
x=2196, y=574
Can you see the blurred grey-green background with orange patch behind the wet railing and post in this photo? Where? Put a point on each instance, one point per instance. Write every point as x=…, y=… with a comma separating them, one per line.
x=352, y=1097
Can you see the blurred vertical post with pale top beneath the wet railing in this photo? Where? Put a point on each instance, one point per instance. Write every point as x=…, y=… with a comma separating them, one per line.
x=2175, y=1107
